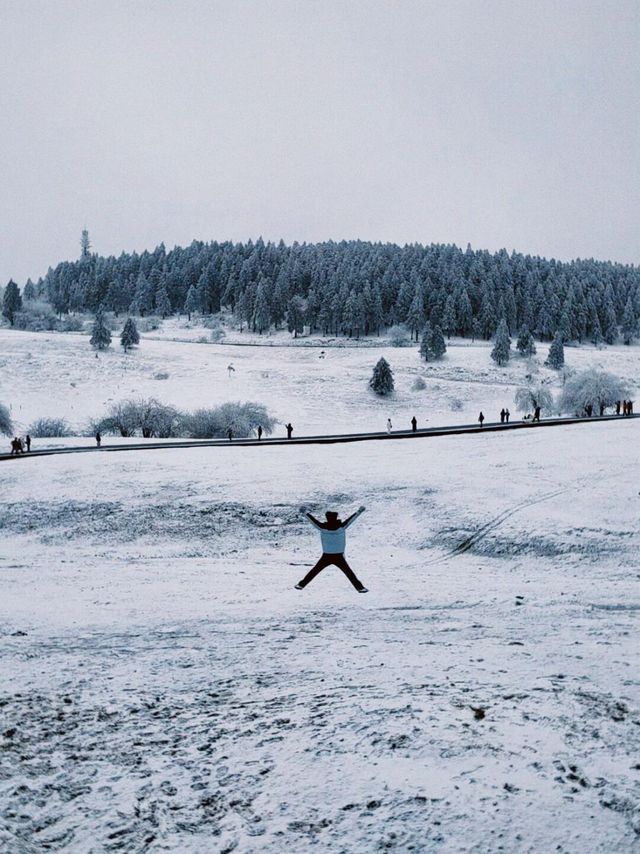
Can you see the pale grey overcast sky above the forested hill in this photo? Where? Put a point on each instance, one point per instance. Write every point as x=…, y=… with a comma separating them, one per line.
x=504, y=124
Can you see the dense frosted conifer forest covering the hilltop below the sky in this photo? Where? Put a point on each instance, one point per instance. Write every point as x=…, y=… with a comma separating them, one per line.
x=356, y=288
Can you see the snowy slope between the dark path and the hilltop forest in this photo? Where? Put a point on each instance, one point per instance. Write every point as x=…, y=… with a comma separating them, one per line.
x=56, y=374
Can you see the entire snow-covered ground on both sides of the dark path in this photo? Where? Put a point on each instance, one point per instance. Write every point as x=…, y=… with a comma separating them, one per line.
x=164, y=688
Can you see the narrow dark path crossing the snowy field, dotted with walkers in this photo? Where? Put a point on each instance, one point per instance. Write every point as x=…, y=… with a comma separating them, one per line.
x=331, y=439
